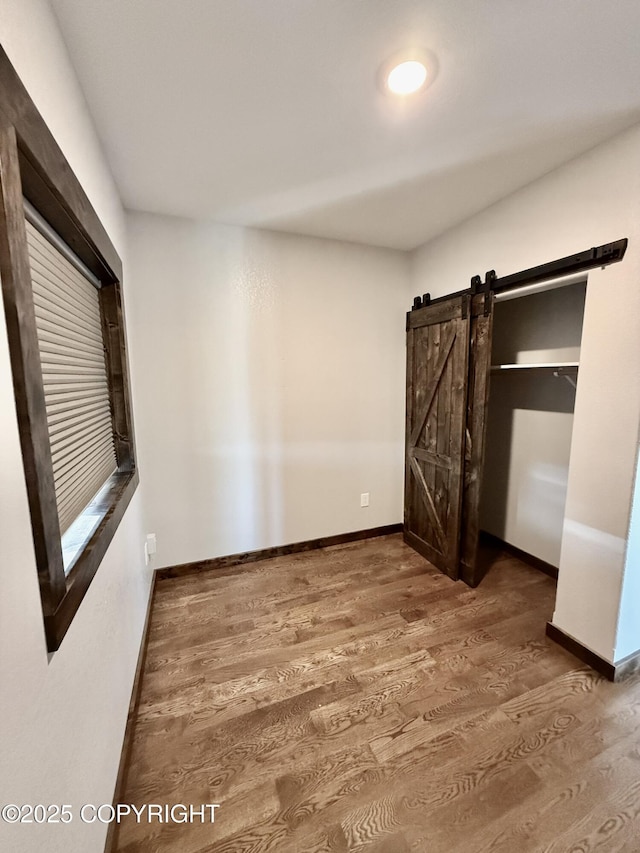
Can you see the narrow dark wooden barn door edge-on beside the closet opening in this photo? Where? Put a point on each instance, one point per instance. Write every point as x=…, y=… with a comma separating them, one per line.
x=473, y=562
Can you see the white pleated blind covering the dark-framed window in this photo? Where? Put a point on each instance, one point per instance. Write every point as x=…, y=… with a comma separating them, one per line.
x=74, y=372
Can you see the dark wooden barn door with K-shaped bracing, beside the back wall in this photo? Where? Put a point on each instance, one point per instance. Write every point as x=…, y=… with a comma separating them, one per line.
x=437, y=377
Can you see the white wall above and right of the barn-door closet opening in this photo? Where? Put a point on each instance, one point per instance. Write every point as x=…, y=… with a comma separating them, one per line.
x=592, y=200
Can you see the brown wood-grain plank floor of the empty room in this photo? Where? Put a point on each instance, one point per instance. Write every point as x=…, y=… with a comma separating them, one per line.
x=355, y=699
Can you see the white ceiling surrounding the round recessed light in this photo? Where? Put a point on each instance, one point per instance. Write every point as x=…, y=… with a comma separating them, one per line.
x=267, y=112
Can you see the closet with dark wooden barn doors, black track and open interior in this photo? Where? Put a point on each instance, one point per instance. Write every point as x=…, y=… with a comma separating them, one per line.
x=492, y=373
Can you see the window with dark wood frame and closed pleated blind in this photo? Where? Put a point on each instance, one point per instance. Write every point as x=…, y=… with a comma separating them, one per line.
x=61, y=284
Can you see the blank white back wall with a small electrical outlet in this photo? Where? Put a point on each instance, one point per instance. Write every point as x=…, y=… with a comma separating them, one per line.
x=274, y=385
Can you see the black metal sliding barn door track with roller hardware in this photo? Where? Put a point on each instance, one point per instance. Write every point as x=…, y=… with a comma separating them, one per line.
x=599, y=256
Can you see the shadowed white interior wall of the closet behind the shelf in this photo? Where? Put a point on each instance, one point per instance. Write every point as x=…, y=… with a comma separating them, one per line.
x=530, y=420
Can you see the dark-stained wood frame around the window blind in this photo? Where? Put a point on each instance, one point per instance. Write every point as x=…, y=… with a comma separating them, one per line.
x=33, y=166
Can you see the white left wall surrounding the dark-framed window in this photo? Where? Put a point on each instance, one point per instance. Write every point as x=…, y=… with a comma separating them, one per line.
x=63, y=720
